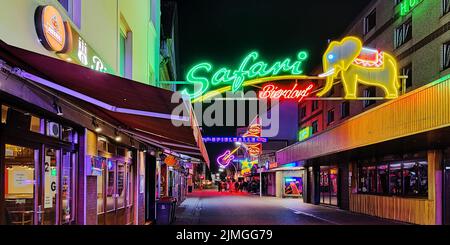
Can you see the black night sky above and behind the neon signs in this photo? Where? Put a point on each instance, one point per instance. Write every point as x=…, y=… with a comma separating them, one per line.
x=224, y=31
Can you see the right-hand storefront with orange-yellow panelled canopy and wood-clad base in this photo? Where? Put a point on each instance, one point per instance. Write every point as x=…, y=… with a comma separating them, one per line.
x=388, y=162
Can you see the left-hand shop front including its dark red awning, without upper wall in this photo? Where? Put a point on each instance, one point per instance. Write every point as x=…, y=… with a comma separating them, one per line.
x=69, y=155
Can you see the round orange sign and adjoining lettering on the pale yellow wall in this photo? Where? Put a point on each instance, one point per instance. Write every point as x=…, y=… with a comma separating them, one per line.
x=59, y=36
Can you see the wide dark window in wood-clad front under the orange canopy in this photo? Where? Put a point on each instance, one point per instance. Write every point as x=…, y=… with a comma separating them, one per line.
x=400, y=179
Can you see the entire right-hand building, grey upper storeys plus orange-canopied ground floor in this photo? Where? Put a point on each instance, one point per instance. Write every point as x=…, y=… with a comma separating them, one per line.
x=379, y=157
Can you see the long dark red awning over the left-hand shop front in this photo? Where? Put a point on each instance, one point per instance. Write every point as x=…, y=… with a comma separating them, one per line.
x=144, y=110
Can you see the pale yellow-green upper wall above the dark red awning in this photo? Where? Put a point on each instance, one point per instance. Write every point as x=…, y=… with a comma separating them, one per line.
x=100, y=20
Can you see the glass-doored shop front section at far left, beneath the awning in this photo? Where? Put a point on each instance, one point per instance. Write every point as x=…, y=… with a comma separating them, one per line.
x=39, y=161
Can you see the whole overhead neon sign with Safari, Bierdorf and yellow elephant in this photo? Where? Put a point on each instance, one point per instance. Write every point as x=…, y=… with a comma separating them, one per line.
x=347, y=60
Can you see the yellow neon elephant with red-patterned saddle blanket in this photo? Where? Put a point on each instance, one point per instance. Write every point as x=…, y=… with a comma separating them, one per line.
x=358, y=64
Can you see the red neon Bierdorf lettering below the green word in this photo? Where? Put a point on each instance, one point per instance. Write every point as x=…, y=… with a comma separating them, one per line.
x=271, y=91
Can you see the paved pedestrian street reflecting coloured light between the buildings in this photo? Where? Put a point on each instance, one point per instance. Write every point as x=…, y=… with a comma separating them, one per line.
x=212, y=208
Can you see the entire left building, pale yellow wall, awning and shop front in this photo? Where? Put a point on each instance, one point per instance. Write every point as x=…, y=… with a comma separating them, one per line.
x=83, y=137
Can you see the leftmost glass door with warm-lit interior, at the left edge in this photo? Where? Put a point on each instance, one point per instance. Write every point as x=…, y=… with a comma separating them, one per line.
x=20, y=185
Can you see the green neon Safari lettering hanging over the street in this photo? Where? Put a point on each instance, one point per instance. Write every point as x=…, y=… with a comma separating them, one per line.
x=249, y=69
